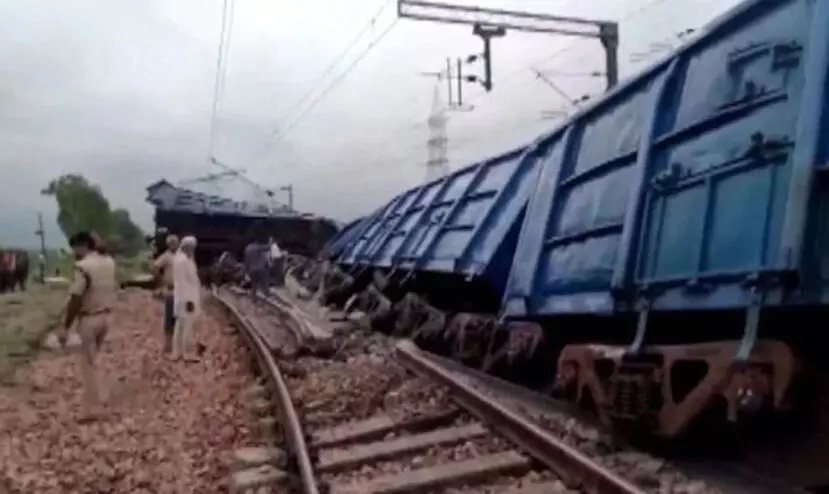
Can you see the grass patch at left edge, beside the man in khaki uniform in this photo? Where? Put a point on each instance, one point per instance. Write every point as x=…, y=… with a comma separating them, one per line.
x=25, y=319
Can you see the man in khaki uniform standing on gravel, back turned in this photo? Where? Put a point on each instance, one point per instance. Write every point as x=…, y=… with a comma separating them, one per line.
x=91, y=298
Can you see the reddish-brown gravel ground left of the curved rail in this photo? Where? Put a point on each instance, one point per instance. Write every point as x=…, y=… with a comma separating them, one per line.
x=171, y=426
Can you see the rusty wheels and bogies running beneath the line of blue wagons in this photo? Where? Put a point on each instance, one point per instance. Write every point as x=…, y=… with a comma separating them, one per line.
x=661, y=388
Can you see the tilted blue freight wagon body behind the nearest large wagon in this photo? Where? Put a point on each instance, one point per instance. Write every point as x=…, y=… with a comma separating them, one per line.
x=455, y=232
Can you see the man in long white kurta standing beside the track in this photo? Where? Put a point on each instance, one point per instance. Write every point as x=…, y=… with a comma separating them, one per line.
x=186, y=299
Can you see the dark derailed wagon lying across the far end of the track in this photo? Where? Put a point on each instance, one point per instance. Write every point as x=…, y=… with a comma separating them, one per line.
x=222, y=225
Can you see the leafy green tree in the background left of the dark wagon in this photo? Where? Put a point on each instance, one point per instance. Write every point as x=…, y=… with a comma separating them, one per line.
x=82, y=206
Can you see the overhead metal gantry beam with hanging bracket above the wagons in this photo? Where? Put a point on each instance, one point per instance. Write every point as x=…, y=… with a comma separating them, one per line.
x=493, y=23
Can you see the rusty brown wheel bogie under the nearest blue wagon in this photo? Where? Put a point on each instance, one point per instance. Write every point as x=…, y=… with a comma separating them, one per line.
x=677, y=411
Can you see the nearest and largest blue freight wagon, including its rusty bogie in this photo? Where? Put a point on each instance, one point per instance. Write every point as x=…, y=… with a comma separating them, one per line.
x=685, y=211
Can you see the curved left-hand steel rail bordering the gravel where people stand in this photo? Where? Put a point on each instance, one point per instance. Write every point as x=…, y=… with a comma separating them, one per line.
x=284, y=406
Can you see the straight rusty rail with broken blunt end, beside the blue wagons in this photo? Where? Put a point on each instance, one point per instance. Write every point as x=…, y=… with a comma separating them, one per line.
x=575, y=469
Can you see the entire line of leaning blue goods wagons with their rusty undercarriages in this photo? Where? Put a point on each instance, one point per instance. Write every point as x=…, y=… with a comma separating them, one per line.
x=664, y=250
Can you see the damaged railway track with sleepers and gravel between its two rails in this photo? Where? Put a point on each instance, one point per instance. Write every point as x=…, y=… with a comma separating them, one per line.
x=373, y=415
